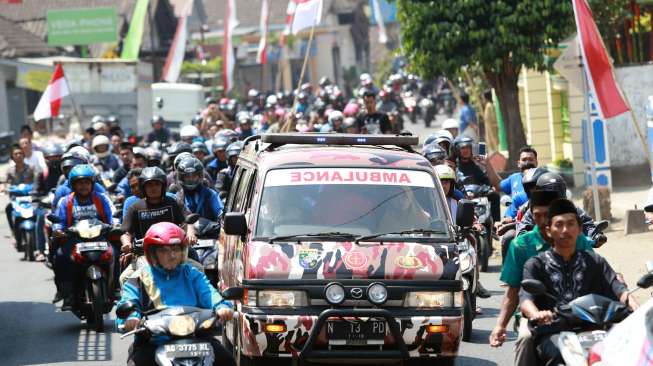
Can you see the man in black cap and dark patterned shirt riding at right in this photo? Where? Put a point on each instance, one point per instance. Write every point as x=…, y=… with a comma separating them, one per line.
x=567, y=274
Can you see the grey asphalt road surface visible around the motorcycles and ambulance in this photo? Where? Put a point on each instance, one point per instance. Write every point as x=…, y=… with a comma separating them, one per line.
x=34, y=332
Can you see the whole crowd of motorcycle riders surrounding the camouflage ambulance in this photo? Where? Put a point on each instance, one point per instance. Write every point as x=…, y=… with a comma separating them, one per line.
x=147, y=189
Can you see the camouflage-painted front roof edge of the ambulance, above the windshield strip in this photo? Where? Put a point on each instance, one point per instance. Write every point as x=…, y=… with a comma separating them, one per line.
x=339, y=156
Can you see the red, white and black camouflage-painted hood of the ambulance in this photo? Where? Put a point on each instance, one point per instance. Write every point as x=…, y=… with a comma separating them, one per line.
x=347, y=260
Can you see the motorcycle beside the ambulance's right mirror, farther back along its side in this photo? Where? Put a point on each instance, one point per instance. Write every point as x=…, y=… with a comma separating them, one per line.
x=478, y=194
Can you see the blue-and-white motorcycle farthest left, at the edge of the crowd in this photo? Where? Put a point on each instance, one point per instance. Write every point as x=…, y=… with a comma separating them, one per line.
x=24, y=217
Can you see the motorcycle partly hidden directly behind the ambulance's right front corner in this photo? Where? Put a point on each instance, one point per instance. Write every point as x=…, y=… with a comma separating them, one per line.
x=468, y=268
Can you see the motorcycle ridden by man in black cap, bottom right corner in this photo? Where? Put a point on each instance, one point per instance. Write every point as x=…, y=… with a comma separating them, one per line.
x=583, y=322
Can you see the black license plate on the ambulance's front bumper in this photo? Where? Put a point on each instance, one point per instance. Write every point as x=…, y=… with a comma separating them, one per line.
x=357, y=332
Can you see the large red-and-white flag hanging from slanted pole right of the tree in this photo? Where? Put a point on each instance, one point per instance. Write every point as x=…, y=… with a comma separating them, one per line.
x=598, y=68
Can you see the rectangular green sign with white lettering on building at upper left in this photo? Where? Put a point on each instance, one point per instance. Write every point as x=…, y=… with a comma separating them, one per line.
x=82, y=26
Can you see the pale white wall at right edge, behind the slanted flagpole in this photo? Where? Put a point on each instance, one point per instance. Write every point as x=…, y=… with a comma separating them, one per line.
x=625, y=146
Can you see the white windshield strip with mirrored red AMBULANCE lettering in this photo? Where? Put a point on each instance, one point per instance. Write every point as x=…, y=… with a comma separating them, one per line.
x=310, y=176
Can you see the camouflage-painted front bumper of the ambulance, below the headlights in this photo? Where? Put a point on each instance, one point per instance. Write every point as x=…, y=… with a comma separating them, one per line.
x=413, y=329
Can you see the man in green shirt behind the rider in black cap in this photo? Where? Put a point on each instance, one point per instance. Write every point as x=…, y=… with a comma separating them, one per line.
x=523, y=248
